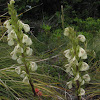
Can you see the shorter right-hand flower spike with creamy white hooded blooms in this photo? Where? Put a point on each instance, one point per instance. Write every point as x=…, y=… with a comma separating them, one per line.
x=75, y=57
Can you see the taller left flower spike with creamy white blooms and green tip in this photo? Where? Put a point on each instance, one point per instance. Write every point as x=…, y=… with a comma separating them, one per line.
x=16, y=30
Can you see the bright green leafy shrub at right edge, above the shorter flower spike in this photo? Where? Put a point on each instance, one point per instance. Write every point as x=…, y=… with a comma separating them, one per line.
x=89, y=25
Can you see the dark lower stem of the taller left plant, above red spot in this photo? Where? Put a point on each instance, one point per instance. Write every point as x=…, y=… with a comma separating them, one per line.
x=30, y=80
